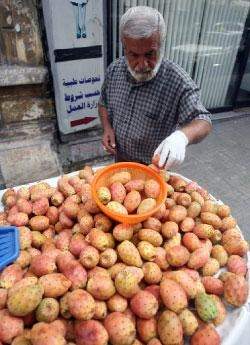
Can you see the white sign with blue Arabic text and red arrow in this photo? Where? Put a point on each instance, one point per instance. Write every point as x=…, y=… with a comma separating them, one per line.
x=75, y=38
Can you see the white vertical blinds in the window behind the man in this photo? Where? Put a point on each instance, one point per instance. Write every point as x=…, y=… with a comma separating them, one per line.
x=203, y=36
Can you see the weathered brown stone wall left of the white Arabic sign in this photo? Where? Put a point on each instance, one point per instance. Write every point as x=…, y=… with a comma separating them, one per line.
x=25, y=92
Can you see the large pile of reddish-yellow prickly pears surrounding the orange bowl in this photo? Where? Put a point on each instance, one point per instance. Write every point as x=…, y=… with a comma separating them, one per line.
x=84, y=279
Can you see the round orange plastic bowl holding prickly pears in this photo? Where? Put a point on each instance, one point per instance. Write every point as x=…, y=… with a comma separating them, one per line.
x=137, y=171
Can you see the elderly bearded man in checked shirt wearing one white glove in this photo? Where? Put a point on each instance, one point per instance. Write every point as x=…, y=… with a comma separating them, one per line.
x=149, y=105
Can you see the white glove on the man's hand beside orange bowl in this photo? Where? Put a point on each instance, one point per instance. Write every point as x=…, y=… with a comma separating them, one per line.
x=172, y=150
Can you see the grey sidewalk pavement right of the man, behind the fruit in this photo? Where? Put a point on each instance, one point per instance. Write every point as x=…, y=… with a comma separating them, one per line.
x=221, y=164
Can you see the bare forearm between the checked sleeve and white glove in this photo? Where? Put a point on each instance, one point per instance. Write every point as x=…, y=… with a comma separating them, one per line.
x=196, y=130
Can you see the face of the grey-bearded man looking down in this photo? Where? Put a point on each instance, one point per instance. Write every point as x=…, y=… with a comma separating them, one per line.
x=143, y=56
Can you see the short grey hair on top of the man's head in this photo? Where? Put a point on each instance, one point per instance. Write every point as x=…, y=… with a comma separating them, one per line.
x=142, y=22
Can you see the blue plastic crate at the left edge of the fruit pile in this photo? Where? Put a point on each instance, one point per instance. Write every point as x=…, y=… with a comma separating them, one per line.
x=9, y=245
